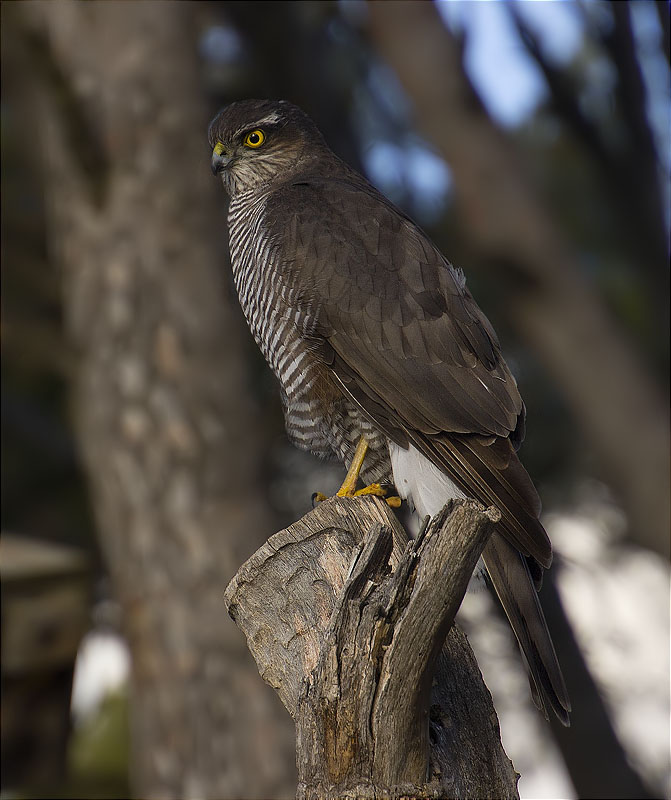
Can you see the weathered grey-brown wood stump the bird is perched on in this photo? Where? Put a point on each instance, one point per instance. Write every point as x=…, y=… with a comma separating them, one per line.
x=353, y=627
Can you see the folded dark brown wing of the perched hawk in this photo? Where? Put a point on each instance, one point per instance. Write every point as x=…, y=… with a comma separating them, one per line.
x=405, y=339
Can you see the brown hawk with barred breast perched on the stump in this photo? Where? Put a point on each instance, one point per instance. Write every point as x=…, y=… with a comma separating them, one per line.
x=383, y=357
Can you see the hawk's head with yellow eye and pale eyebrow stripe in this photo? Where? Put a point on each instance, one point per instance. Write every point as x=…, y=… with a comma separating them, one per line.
x=256, y=142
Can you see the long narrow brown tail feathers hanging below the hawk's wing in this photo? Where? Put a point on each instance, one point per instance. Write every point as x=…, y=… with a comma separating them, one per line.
x=514, y=586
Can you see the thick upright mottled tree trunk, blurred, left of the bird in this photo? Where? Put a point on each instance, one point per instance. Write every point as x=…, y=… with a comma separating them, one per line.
x=167, y=430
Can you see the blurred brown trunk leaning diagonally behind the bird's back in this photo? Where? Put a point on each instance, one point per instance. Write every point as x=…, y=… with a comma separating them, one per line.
x=615, y=403
